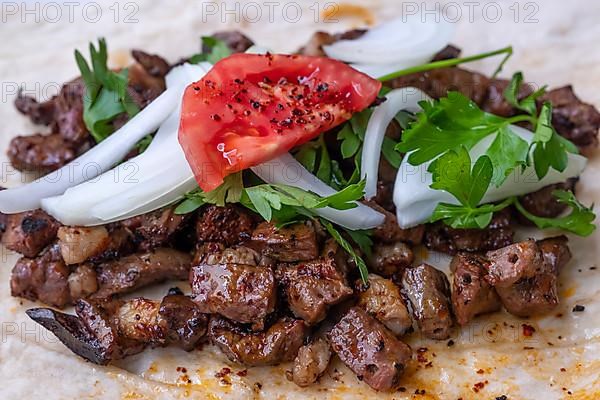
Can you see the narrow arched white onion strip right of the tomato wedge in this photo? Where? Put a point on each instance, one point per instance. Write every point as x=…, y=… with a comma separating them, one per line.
x=397, y=100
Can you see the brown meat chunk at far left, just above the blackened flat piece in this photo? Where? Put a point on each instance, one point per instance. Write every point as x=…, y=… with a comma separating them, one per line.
x=44, y=278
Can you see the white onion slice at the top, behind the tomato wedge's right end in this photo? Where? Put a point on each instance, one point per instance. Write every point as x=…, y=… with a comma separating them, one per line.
x=400, y=43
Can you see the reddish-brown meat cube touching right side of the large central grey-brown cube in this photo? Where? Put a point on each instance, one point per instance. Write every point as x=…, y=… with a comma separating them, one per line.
x=312, y=286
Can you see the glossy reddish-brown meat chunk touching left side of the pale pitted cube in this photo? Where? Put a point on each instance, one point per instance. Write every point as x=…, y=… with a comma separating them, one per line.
x=471, y=293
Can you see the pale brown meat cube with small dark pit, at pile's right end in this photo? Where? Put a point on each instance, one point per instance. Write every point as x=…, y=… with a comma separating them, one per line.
x=515, y=262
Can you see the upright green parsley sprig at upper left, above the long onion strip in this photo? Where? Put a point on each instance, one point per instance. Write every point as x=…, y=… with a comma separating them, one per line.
x=106, y=94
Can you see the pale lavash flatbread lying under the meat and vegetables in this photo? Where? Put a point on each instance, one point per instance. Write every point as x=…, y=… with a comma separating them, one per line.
x=490, y=357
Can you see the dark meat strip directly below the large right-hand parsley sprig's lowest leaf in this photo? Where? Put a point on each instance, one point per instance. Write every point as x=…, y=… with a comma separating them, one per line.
x=499, y=233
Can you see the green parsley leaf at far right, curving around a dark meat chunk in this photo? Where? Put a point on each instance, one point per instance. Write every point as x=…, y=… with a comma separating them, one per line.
x=579, y=221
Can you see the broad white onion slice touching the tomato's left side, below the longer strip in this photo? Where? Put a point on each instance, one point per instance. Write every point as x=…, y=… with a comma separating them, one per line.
x=149, y=181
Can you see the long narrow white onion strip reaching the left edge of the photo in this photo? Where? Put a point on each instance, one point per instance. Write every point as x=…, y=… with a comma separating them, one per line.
x=103, y=156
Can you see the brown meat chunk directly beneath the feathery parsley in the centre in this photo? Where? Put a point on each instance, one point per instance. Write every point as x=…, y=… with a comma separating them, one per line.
x=292, y=243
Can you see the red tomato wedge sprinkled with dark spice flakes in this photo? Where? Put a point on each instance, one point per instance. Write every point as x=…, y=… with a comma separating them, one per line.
x=250, y=108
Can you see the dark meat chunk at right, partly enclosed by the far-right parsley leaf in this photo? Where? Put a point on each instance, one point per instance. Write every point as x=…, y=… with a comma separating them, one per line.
x=543, y=204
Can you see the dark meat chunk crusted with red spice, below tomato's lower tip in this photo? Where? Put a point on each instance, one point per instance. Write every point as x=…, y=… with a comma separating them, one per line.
x=228, y=225
